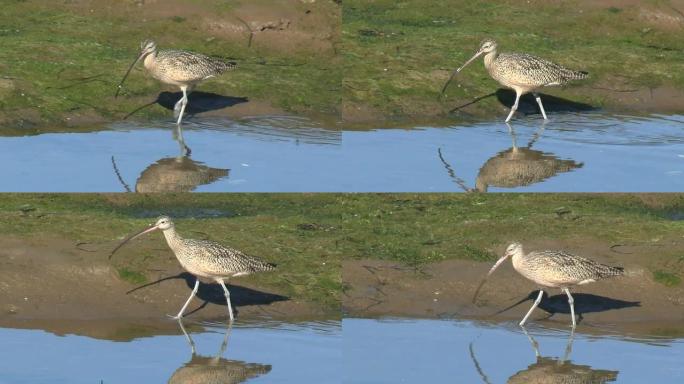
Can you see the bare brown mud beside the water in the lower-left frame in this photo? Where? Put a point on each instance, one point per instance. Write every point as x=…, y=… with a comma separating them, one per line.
x=58, y=282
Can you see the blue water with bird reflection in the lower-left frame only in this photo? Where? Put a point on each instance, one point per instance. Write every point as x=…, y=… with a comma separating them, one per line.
x=258, y=352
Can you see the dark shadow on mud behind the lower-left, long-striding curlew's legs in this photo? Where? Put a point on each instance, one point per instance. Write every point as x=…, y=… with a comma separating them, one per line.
x=212, y=293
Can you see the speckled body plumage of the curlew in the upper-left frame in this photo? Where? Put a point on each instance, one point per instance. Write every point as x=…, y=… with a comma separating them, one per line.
x=189, y=67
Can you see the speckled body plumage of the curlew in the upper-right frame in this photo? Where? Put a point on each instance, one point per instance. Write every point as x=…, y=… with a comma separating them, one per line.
x=530, y=71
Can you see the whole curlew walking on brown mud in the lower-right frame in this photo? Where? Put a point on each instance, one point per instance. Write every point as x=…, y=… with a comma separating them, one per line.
x=553, y=269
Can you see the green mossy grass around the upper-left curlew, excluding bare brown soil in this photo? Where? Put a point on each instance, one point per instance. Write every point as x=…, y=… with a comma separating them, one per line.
x=64, y=62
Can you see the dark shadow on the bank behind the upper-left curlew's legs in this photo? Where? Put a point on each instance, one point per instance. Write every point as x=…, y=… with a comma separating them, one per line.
x=198, y=102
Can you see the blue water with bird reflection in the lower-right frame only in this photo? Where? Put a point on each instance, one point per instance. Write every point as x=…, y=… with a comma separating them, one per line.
x=449, y=351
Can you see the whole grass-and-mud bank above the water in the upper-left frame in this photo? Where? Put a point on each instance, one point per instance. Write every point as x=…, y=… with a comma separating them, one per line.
x=286, y=53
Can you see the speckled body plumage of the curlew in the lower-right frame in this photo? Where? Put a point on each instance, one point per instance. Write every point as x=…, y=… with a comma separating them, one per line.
x=558, y=268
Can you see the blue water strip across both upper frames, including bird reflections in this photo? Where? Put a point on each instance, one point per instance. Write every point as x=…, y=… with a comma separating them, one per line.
x=585, y=152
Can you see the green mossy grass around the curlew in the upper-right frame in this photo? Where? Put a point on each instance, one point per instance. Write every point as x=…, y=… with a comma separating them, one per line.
x=397, y=53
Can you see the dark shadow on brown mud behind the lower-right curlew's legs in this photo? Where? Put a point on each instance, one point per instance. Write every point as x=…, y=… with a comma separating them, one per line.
x=584, y=303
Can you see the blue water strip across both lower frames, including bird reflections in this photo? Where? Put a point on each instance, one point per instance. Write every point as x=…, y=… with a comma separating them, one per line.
x=353, y=351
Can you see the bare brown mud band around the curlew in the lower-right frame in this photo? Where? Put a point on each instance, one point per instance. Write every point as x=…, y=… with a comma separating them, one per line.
x=634, y=304
